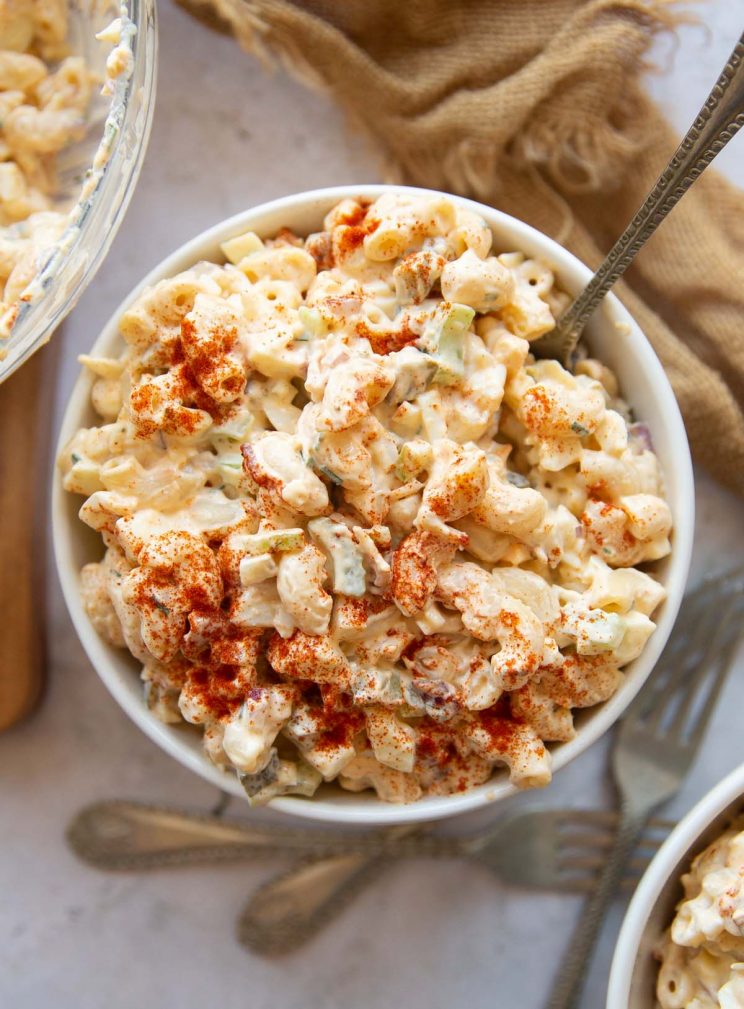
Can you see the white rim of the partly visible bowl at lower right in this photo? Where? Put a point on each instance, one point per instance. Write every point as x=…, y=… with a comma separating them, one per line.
x=683, y=844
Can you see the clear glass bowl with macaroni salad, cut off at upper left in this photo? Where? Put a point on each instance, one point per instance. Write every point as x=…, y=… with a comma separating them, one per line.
x=77, y=95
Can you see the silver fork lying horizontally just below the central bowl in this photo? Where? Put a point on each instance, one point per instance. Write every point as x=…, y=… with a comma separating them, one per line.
x=549, y=849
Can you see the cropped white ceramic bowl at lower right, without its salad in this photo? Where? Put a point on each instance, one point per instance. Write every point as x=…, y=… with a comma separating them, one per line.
x=634, y=969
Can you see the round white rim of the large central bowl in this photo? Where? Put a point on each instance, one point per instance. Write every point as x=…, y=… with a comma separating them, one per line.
x=362, y=808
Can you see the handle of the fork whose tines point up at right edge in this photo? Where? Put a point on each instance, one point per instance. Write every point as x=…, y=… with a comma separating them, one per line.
x=569, y=985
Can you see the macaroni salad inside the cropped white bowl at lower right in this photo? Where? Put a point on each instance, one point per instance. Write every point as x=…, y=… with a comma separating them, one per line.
x=703, y=954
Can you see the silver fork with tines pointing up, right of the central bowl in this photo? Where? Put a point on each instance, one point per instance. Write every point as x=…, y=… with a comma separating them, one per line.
x=658, y=742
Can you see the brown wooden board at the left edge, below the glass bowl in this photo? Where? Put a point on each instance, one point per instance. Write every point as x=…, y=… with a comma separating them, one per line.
x=26, y=409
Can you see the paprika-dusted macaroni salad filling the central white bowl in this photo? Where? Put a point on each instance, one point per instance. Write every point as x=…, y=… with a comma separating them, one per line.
x=354, y=529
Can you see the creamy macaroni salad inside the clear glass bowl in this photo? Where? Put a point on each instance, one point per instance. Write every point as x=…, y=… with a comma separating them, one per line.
x=45, y=96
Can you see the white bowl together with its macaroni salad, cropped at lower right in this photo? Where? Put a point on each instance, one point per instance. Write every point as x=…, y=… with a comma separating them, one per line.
x=682, y=945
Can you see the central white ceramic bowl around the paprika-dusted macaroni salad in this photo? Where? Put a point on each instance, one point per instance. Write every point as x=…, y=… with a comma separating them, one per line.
x=615, y=338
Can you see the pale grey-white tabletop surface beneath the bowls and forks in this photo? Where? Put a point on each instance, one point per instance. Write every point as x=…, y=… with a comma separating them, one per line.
x=228, y=136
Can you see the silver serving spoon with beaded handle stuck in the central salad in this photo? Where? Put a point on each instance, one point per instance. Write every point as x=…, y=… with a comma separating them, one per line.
x=717, y=123
